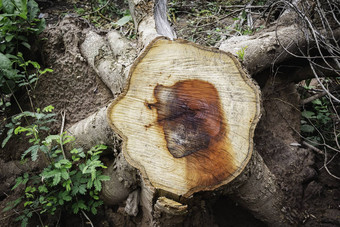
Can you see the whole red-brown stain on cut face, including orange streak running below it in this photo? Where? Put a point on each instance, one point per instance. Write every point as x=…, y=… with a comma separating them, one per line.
x=194, y=128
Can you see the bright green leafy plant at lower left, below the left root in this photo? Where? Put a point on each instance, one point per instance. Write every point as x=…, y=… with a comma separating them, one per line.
x=70, y=184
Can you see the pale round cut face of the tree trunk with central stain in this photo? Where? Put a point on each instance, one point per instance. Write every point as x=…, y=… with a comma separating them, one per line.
x=187, y=117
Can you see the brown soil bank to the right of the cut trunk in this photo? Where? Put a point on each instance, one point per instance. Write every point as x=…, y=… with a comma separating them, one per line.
x=312, y=195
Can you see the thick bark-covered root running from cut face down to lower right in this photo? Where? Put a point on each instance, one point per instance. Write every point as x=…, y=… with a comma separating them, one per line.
x=257, y=190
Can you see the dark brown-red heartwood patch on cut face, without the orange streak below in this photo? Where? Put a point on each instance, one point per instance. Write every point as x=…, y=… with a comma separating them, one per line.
x=190, y=115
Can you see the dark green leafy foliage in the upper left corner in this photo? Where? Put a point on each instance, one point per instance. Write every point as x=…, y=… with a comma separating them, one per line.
x=18, y=23
